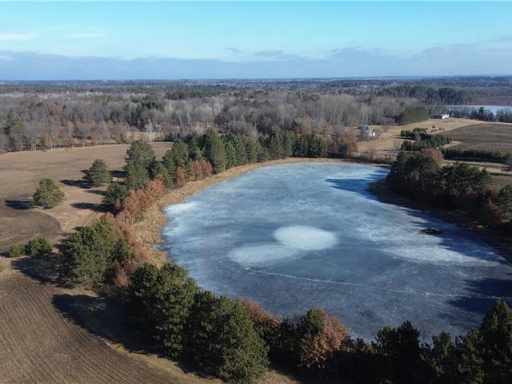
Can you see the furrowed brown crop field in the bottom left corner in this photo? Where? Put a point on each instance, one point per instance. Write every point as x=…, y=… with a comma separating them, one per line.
x=39, y=345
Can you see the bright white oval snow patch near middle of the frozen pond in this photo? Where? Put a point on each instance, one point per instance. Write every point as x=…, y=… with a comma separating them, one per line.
x=305, y=238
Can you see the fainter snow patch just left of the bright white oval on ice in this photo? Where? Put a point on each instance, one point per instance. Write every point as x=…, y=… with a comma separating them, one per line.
x=262, y=254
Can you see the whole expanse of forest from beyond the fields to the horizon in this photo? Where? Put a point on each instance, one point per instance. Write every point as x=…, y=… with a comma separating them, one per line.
x=45, y=115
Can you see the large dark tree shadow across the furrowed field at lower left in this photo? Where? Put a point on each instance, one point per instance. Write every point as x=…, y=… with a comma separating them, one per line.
x=105, y=317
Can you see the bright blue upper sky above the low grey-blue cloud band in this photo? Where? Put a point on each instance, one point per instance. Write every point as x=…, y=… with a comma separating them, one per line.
x=260, y=31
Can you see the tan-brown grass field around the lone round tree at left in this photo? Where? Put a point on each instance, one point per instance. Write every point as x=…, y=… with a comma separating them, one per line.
x=21, y=171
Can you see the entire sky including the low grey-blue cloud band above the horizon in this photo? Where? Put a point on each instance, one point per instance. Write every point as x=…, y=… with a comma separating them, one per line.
x=246, y=40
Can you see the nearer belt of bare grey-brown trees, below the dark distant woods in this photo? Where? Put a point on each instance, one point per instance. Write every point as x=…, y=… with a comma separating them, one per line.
x=47, y=121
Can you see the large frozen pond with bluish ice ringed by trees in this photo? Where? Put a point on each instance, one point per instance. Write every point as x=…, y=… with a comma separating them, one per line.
x=297, y=236
